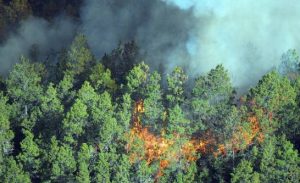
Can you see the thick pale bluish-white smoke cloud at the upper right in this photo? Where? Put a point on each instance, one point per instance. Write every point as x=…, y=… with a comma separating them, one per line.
x=247, y=37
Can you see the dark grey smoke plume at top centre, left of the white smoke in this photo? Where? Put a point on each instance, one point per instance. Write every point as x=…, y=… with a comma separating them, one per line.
x=160, y=30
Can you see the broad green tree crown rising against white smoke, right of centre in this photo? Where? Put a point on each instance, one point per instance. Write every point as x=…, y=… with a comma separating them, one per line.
x=210, y=100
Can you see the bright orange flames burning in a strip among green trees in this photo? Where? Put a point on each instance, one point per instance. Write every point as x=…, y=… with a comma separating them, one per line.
x=144, y=145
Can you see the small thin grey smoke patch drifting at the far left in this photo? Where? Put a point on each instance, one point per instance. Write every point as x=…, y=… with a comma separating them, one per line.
x=38, y=35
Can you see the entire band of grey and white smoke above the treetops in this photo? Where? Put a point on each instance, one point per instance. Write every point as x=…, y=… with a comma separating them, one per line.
x=247, y=37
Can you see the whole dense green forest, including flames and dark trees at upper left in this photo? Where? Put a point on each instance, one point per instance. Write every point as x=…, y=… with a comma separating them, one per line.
x=116, y=119
